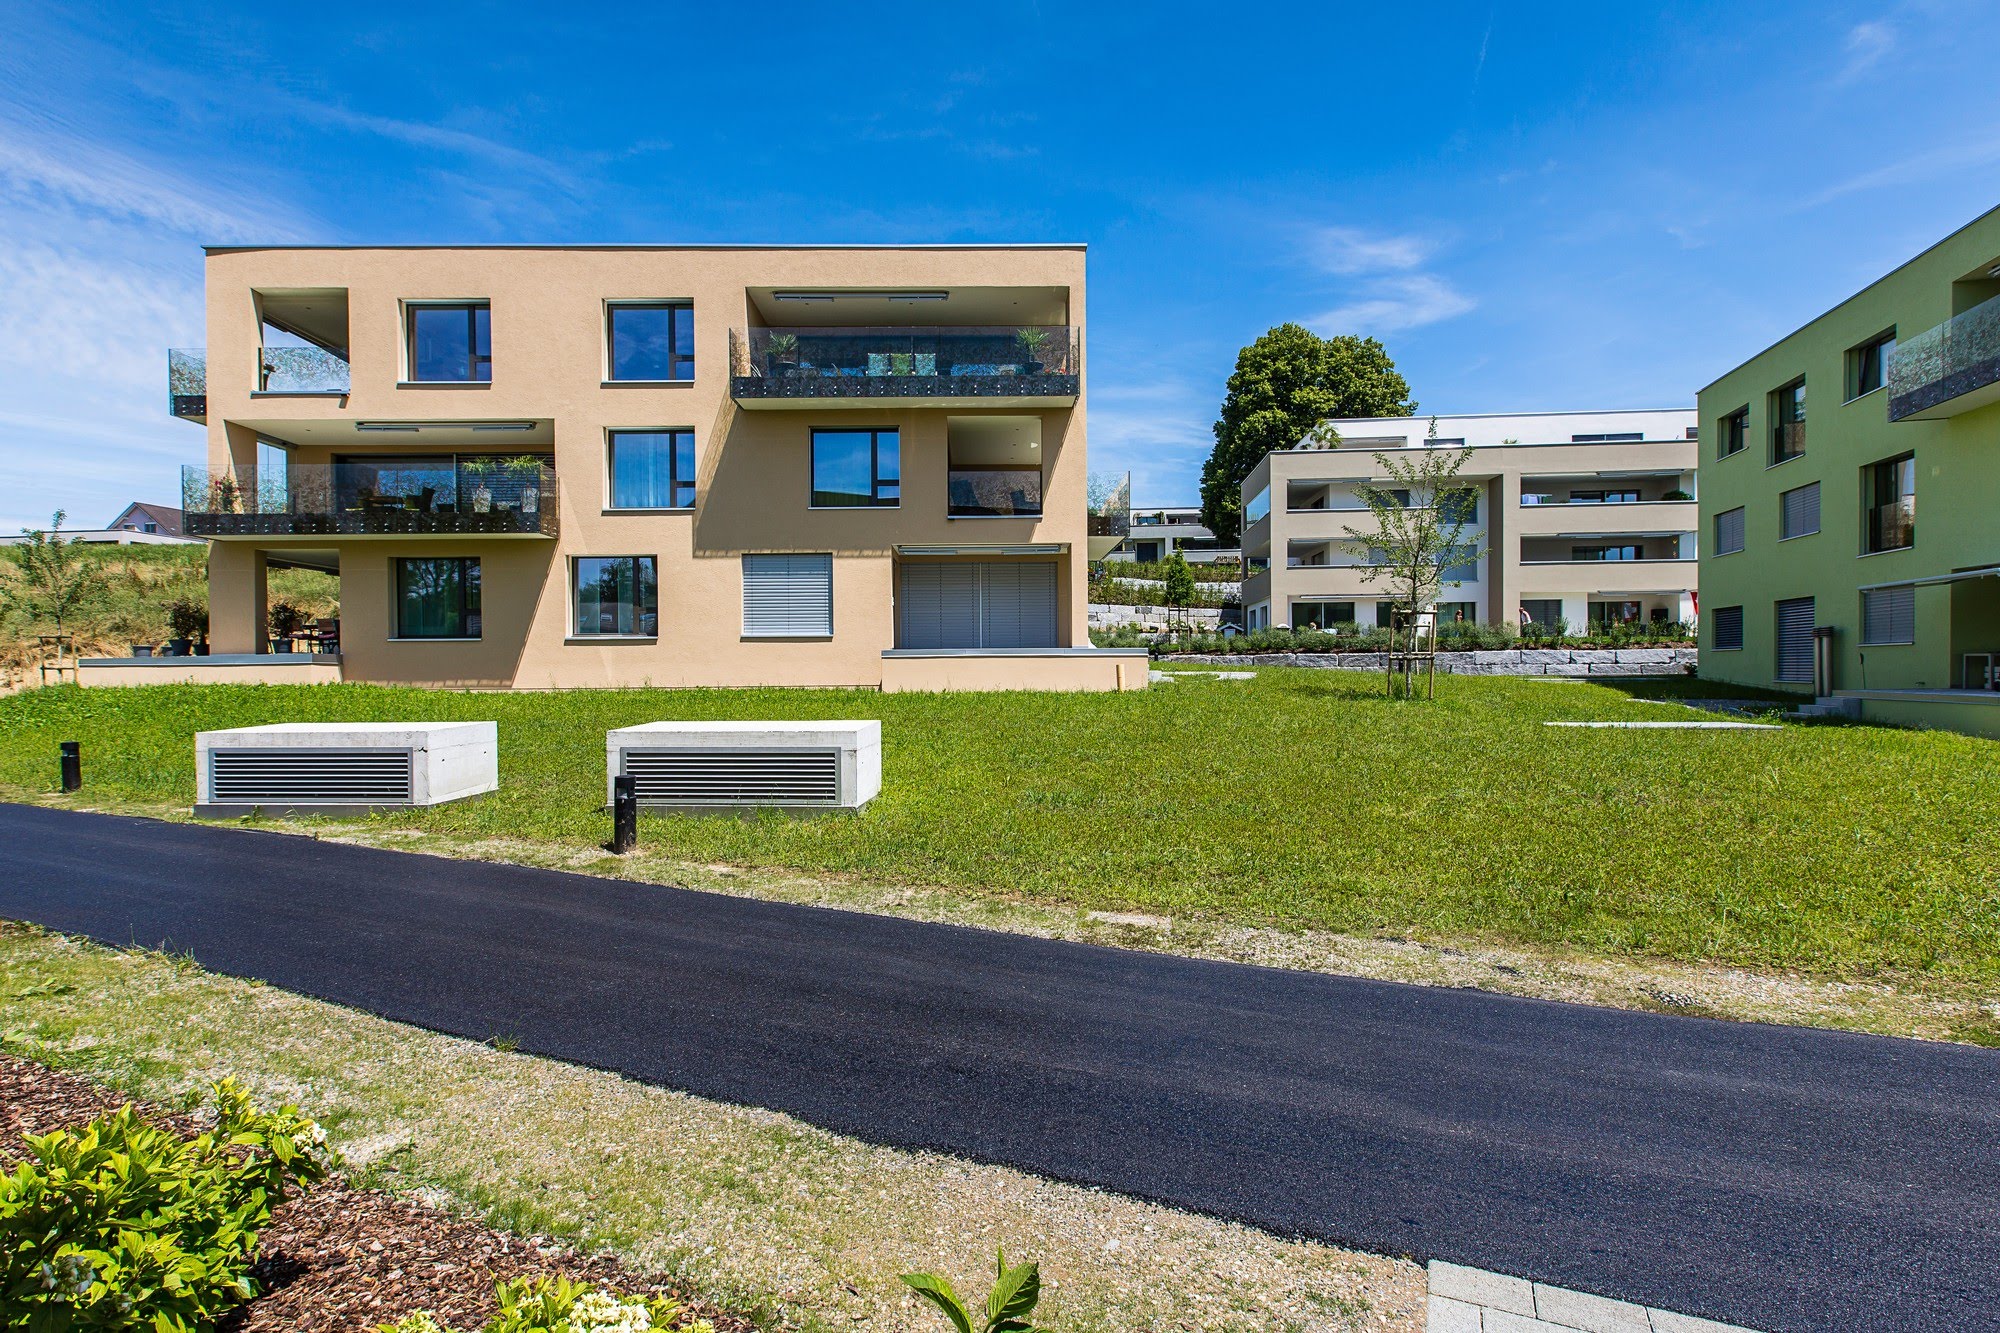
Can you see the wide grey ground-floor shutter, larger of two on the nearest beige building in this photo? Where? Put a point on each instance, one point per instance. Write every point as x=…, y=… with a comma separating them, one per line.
x=979, y=605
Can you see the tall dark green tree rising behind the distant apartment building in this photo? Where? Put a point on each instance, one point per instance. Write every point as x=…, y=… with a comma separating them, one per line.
x=1285, y=385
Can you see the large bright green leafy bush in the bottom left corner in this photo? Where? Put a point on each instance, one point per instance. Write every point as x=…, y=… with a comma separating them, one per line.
x=127, y=1226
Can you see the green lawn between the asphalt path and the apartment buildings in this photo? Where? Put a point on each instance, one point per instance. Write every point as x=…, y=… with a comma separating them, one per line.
x=1293, y=800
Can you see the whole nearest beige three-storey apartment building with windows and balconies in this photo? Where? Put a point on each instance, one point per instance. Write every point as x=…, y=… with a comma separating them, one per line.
x=543, y=467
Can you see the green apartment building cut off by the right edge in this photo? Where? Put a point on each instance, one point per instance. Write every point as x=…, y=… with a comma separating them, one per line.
x=1819, y=569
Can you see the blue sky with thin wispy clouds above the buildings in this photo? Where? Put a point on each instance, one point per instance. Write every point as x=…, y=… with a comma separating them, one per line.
x=1533, y=205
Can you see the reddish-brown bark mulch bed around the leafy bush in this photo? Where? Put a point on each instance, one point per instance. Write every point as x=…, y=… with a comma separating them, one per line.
x=345, y=1258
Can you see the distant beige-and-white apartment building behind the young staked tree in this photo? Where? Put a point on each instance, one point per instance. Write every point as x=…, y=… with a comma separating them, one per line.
x=1581, y=517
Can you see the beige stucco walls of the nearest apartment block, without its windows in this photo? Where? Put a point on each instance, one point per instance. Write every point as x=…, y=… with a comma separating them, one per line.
x=553, y=395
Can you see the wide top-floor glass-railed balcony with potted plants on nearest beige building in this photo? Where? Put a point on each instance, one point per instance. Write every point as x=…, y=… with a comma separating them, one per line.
x=943, y=367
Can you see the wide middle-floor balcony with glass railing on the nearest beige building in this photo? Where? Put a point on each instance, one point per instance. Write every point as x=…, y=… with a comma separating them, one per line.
x=447, y=497
